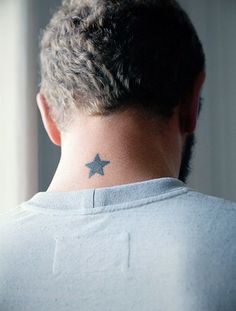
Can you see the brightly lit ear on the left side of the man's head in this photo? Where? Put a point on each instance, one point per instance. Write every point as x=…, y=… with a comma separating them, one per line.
x=48, y=122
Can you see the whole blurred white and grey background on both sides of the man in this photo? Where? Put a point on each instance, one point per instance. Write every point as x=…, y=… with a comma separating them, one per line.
x=28, y=159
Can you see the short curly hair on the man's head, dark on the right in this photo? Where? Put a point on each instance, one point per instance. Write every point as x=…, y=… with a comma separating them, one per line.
x=102, y=56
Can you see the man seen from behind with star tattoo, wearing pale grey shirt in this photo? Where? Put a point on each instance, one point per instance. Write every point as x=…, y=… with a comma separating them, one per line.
x=118, y=229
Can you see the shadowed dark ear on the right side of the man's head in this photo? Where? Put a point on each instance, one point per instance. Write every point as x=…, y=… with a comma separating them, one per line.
x=189, y=109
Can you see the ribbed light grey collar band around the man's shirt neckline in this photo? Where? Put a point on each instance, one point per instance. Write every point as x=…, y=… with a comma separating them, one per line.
x=96, y=200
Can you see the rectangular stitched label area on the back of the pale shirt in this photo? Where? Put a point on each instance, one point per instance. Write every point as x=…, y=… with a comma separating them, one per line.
x=97, y=253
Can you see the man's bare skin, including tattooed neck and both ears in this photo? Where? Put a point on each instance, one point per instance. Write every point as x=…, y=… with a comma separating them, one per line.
x=121, y=148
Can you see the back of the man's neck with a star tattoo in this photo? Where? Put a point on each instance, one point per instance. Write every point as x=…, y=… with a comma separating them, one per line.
x=135, y=150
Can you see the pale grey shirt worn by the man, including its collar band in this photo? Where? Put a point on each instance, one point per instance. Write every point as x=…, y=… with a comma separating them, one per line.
x=154, y=245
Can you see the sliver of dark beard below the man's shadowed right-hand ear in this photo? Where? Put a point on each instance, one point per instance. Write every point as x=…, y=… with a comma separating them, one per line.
x=185, y=168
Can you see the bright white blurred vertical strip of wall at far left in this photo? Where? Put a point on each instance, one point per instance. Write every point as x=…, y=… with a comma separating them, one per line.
x=18, y=118
